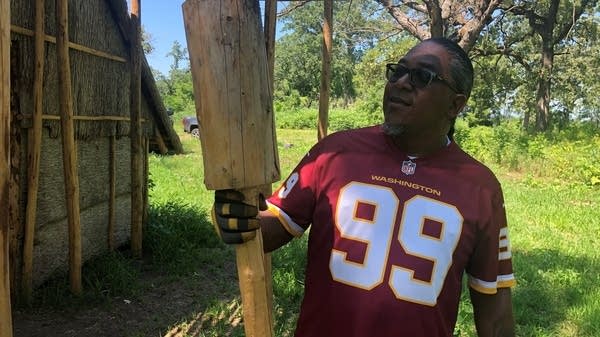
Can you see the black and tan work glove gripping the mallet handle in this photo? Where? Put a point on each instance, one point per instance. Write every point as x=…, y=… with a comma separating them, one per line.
x=235, y=221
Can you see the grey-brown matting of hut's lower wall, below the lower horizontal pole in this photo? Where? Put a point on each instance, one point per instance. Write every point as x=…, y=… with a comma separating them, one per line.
x=51, y=243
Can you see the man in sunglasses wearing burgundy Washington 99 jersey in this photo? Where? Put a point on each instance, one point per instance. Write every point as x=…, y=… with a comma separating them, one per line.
x=397, y=213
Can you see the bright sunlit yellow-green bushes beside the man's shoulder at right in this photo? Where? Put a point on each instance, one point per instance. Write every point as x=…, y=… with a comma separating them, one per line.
x=567, y=156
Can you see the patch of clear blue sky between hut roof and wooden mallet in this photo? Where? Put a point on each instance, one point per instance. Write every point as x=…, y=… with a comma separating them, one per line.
x=163, y=19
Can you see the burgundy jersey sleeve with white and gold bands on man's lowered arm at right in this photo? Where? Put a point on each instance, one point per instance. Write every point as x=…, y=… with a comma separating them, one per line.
x=490, y=266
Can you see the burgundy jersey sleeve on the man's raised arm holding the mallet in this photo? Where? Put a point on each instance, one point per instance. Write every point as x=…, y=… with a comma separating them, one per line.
x=294, y=201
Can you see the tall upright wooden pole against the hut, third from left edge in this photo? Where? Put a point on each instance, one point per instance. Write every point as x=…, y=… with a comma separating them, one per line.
x=69, y=146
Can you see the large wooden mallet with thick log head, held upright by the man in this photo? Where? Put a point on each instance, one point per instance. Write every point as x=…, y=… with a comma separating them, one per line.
x=235, y=112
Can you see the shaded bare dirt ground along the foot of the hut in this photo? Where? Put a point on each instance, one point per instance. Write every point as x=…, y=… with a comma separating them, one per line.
x=168, y=307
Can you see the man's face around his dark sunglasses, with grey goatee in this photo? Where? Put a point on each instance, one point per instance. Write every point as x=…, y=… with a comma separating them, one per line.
x=423, y=111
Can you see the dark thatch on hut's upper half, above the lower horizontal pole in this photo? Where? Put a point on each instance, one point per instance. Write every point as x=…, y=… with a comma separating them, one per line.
x=101, y=84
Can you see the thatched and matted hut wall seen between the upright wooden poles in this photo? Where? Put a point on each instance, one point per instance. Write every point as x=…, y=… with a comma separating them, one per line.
x=100, y=91
